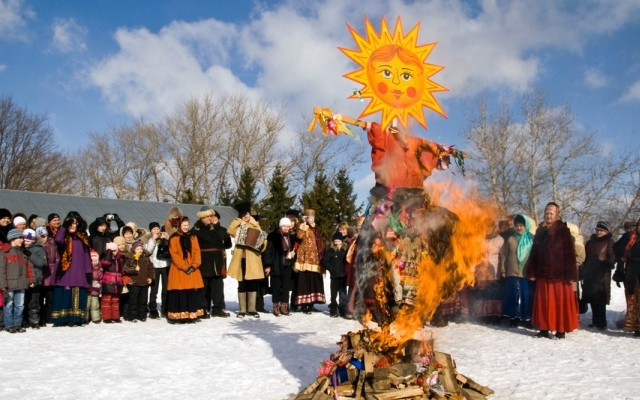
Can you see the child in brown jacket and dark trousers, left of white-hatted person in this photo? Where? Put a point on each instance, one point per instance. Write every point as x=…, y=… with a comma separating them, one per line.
x=139, y=268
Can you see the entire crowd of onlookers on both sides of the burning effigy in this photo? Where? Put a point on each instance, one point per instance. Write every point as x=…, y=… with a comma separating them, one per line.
x=65, y=272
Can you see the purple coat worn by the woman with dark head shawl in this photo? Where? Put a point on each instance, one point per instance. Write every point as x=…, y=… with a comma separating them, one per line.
x=76, y=275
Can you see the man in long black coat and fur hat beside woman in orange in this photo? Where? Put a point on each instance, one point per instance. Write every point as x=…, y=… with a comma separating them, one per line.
x=213, y=240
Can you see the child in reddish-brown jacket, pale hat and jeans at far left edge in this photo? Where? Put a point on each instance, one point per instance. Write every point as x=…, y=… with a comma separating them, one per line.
x=16, y=275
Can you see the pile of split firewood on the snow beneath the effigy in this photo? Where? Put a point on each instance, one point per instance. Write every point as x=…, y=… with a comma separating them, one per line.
x=358, y=372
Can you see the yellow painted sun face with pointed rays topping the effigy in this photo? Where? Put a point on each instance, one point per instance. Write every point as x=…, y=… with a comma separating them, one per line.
x=394, y=73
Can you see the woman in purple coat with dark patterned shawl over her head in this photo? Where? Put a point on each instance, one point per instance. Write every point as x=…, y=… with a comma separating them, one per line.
x=72, y=276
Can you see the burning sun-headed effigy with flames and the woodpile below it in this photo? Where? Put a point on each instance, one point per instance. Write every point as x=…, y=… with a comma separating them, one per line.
x=419, y=243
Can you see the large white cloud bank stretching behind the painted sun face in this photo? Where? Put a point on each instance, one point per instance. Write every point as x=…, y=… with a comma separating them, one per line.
x=292, y=47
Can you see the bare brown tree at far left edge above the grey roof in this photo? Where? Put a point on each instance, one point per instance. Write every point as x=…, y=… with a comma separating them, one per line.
x=29, y=158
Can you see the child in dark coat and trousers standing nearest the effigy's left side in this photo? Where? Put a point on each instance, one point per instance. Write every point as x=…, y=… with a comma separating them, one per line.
x=334, y=262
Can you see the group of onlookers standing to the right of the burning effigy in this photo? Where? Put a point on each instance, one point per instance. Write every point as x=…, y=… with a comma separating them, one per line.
x=544, y=280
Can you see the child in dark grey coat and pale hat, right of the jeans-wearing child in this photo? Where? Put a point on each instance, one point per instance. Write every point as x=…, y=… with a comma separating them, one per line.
x=38, y=257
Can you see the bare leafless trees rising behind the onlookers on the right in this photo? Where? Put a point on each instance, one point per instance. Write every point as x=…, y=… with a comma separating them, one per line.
x=547, y=158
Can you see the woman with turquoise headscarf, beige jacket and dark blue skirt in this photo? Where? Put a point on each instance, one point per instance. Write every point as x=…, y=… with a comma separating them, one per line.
x=518, y=290
